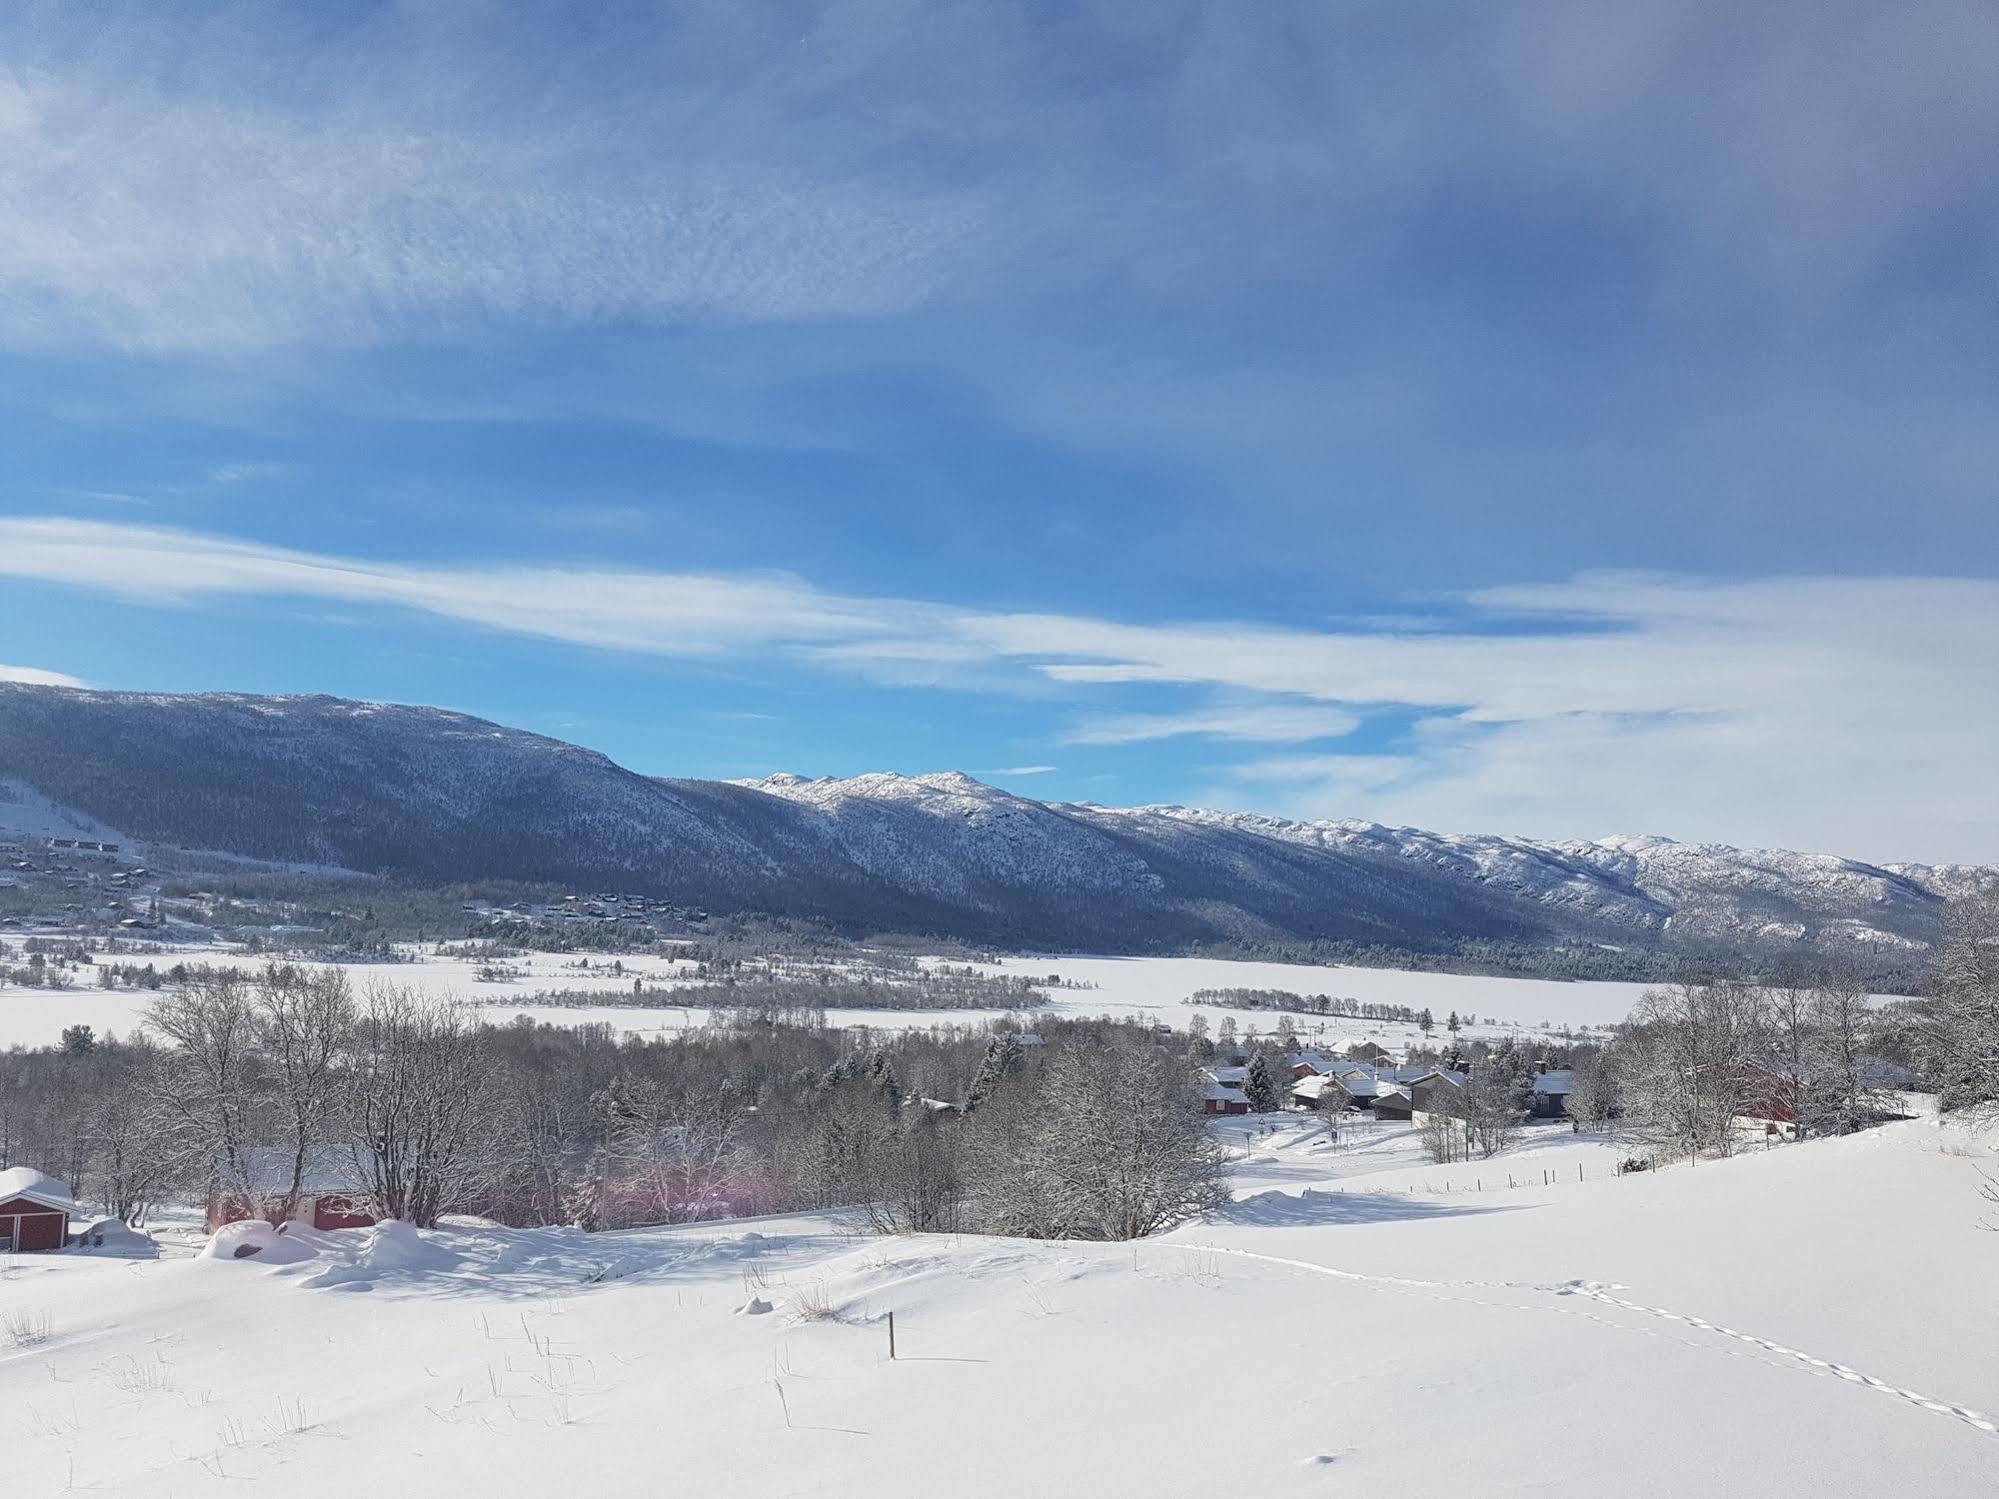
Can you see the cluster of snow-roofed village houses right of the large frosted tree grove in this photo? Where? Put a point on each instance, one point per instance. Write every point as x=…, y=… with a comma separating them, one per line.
x=1366, y=1080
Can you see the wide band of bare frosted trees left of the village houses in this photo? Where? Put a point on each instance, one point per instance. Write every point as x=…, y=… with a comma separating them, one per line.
x=1090, y=1130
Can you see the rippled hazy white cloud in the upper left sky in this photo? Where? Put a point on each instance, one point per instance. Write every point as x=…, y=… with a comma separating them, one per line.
x=419, y=183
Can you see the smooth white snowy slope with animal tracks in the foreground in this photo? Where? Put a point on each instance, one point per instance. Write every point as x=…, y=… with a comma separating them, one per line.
x=1802, y=1322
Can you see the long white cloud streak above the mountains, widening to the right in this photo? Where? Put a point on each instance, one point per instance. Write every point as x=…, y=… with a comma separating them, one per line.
x=1812, y=713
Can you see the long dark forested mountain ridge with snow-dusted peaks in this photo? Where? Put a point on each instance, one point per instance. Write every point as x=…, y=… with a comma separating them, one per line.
x=431, y=794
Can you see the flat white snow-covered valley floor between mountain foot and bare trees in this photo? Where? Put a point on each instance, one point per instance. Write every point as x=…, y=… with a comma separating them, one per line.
x=1150, y=988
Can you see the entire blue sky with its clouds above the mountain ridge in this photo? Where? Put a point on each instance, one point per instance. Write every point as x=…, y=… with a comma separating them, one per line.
x=1552, y=419
